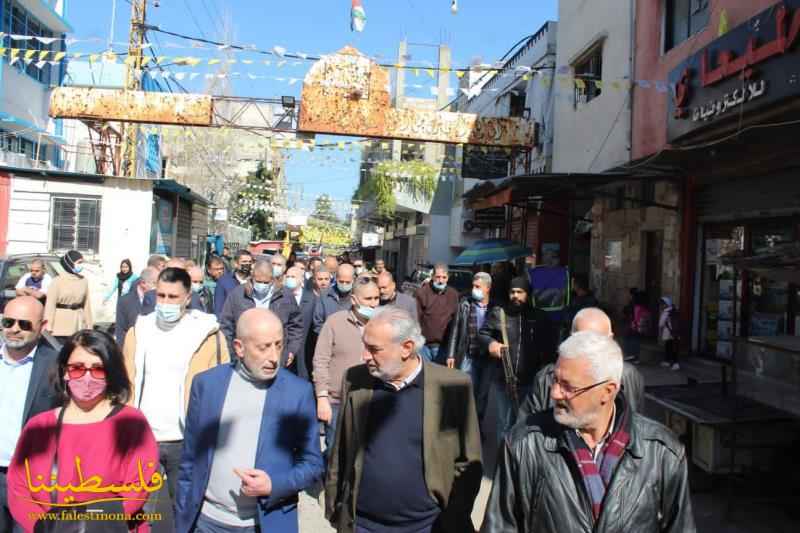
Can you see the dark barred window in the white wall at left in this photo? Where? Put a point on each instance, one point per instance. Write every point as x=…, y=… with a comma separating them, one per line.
x=76, y=224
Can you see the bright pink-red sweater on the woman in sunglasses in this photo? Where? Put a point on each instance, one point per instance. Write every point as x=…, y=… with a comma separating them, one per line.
x=111, y=449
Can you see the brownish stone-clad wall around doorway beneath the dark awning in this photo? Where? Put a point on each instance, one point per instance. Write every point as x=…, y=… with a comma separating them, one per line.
x=629, y=226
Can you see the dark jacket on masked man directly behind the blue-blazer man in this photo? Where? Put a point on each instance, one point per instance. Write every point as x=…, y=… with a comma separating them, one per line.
x=282, y=303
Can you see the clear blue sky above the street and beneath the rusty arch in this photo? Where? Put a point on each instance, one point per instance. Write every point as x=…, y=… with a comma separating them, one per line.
x=482, y=29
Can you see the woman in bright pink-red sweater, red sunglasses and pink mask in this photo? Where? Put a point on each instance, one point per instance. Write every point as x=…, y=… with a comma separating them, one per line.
x=105, y=449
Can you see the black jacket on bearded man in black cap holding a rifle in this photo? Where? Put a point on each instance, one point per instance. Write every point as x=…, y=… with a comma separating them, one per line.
x=532, y=339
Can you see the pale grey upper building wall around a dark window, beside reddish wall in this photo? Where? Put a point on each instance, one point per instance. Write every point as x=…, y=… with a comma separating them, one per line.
x=594, y=136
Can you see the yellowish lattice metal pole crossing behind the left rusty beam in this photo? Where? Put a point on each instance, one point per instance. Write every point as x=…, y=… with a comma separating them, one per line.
x=133, y=82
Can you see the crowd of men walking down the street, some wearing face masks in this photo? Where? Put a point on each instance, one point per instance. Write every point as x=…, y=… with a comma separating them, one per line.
x=238, y=367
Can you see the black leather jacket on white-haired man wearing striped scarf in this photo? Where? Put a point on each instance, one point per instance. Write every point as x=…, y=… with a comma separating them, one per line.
x=537, y=488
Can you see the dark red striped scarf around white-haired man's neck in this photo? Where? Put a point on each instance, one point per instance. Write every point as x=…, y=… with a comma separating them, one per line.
x=597, y=474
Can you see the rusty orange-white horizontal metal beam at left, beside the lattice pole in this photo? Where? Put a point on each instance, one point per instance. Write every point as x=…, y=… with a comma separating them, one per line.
x=131, y=106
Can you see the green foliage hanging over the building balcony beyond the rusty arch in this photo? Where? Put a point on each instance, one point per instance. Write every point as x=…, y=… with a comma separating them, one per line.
x=417, y=178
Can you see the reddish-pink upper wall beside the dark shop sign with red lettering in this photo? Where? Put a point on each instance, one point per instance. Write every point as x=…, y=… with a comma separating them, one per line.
x=650, y=106
